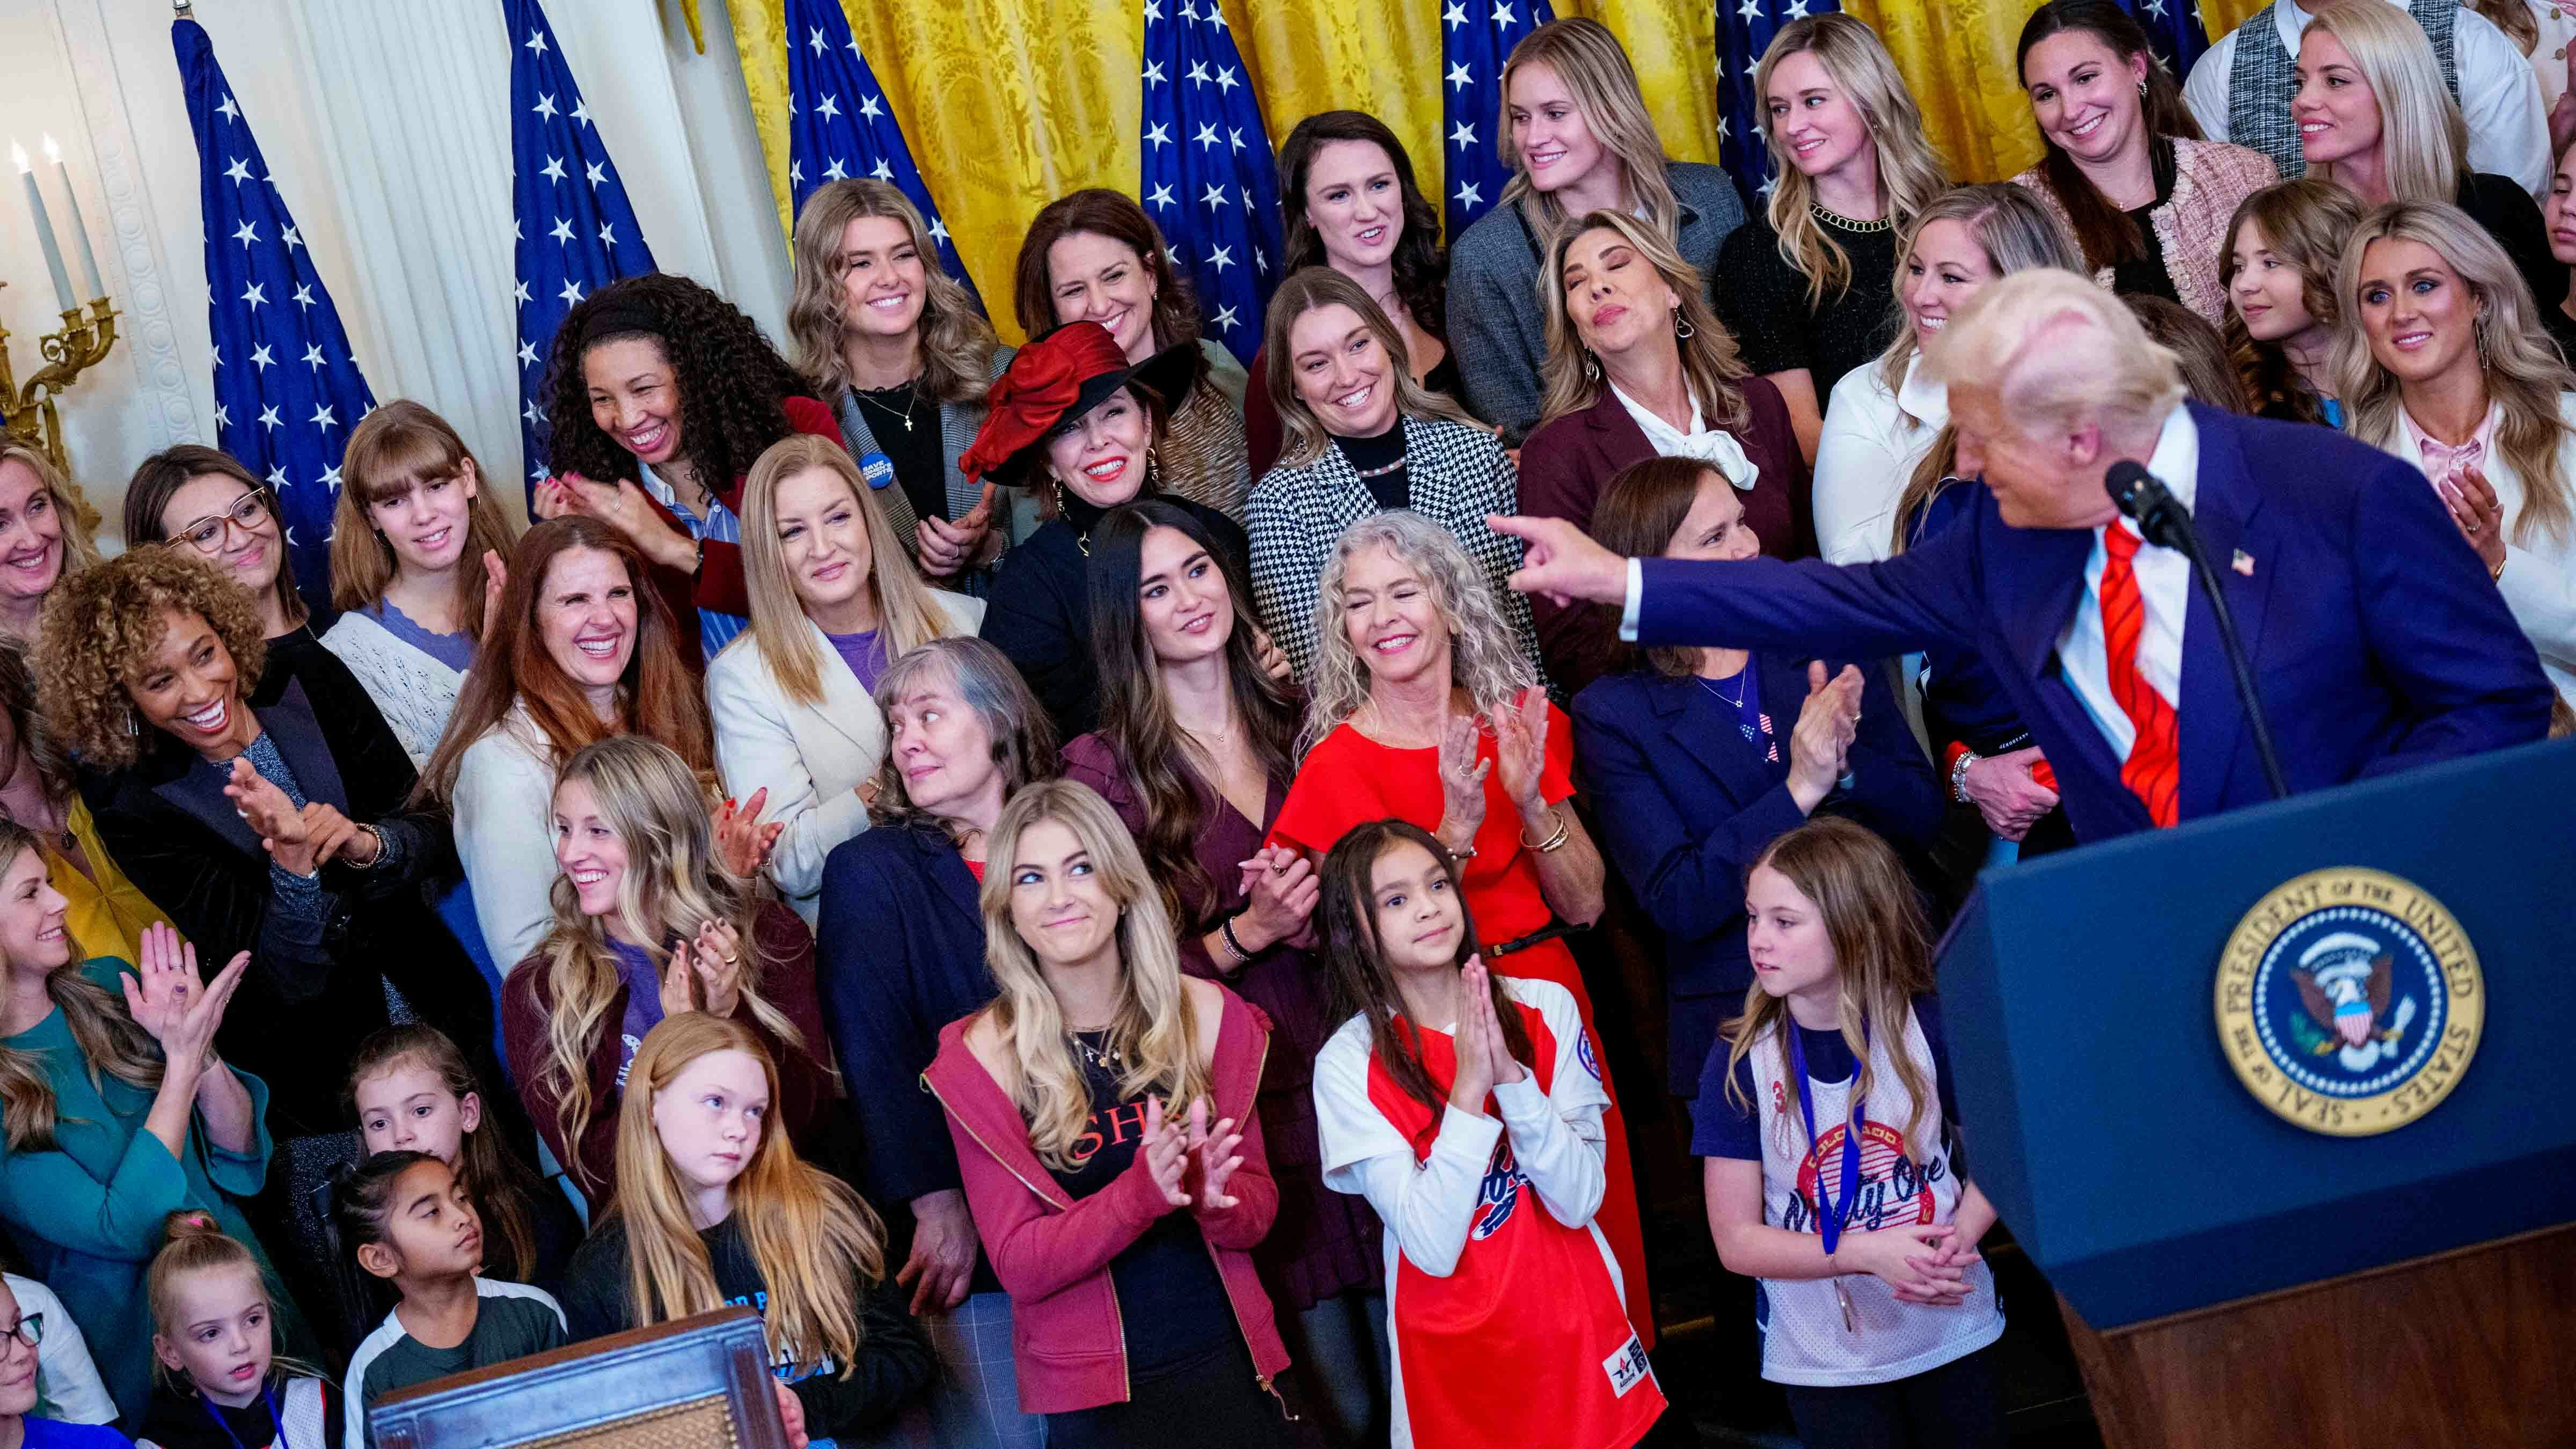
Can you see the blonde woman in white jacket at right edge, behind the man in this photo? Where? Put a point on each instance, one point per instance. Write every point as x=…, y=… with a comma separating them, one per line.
x=2477, y=398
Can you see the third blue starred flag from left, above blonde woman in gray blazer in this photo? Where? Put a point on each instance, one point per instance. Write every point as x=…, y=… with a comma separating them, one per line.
x=838, y=120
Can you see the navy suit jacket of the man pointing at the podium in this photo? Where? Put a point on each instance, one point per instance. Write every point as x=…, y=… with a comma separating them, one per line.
x=2387, y=648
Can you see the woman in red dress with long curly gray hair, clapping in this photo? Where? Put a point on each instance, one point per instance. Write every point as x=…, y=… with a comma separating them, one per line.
x=1426, y=710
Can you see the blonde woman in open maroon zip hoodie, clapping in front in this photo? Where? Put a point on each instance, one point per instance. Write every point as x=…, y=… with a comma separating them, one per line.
x=1104, y=1123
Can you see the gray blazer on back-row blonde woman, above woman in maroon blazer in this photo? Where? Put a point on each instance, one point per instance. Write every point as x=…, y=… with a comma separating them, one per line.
x=1498, y=326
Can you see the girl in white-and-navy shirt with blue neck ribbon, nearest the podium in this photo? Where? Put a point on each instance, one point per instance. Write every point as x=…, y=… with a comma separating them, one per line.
x=1877, y=1319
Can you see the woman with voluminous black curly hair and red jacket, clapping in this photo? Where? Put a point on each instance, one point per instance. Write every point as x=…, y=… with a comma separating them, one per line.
x=661, y=398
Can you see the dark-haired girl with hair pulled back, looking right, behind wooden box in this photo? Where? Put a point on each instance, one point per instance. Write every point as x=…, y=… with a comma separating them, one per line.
x=406, y=1221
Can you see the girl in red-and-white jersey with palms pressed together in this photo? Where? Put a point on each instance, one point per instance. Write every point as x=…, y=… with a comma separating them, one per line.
x=1470, y=1110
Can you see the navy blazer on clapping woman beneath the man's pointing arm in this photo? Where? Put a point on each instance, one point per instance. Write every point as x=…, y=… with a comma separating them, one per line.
x=1686, y=806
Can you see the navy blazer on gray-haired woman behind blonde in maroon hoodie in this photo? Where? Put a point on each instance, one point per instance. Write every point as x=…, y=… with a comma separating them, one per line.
x=898, y=955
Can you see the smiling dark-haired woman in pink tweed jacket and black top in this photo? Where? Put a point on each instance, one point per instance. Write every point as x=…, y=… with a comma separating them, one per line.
x=2124, y=164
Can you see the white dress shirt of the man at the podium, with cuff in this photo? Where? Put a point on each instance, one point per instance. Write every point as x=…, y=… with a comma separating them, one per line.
x=2165, y=589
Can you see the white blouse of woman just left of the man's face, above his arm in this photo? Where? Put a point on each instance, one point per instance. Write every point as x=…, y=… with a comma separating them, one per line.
x=1871, y=447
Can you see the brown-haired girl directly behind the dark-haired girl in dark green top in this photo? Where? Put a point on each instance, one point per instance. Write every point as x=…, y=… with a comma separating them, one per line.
x=416, y=1094
